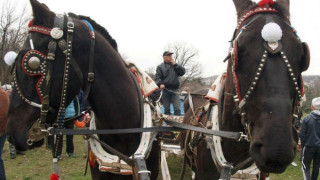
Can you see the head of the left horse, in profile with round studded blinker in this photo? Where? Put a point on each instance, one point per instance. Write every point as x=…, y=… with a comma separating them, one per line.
x=50, y=69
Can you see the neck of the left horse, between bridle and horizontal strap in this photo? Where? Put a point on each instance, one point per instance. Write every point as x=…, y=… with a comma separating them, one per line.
x=113, y=96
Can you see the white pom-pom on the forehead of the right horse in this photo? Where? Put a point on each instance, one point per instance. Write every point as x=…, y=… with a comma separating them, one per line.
x=271, y=32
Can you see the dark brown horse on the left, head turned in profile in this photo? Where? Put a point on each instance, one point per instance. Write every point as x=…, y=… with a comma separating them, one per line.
x=42, y=75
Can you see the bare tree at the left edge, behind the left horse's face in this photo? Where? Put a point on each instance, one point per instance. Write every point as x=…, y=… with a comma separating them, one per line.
x=13, y=32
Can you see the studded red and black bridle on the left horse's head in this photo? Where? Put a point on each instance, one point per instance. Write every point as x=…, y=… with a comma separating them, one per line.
x=35, y=63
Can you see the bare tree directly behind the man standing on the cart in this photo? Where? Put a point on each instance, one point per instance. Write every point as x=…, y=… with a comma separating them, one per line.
x=184, y=55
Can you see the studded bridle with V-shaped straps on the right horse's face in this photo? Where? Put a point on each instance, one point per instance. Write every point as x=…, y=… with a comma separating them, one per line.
x=271, y=48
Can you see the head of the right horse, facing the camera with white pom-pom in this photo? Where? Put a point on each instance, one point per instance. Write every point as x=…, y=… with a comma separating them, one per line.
x=265, y=74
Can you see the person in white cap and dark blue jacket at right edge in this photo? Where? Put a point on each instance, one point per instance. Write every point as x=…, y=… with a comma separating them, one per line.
x=310, y=141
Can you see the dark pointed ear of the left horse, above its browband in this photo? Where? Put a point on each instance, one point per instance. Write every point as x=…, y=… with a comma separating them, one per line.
x=42, y=14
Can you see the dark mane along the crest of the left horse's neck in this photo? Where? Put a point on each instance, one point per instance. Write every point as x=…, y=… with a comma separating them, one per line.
x=98, y=28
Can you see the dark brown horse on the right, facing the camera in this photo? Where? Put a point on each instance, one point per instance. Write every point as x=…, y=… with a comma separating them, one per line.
x=261, y=92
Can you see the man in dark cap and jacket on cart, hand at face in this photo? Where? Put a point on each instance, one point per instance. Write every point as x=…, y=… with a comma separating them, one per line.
x=167, y=78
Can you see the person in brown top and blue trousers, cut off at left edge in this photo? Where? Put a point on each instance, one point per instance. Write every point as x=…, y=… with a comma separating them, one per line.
x=4, y=106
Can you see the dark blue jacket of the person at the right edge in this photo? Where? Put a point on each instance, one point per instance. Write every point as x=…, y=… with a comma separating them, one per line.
x=310, y=131
